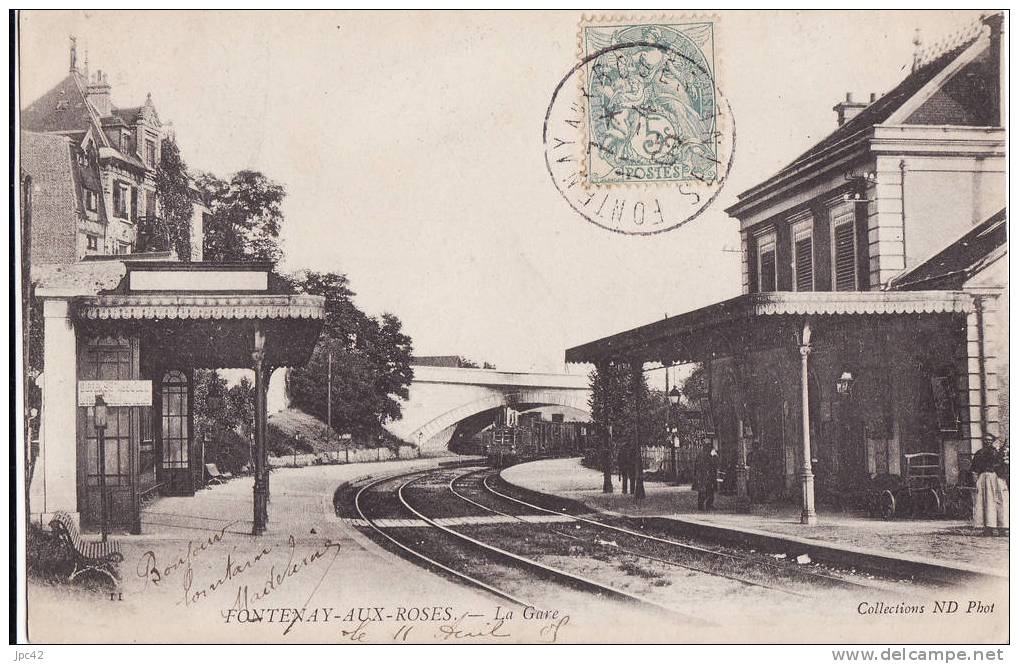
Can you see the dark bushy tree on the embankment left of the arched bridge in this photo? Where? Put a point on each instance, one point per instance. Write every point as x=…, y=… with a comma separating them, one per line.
x=371, y=362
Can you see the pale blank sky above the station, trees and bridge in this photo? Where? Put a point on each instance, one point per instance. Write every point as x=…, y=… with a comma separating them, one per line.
x=410, y=146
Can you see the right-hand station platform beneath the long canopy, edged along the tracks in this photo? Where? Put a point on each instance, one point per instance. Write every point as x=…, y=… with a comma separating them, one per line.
x=934, y=547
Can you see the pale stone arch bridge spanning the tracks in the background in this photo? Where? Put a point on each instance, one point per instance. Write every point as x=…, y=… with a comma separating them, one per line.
x=447, y=402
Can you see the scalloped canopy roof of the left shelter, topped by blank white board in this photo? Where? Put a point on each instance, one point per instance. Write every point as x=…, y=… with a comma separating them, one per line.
x=193, y=315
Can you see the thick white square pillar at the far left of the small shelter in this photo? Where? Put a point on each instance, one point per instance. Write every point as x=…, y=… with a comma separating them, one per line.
x=56, y=488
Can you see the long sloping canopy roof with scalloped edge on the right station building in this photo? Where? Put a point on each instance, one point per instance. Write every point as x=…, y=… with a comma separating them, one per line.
x=754, y=319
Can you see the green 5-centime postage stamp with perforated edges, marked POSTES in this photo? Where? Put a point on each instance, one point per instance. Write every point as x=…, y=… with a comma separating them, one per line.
x=653, y=105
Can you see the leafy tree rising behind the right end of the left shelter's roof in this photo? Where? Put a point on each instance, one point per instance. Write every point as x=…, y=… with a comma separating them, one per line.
x=246, y=217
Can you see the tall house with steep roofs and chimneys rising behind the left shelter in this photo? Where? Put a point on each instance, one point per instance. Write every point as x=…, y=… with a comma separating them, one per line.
x=98, y=164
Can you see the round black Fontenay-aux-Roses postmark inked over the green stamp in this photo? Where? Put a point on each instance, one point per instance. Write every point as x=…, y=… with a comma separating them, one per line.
x=638, y=138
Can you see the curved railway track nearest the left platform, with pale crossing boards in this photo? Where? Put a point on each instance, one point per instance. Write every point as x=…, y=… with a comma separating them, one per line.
x=384, y=508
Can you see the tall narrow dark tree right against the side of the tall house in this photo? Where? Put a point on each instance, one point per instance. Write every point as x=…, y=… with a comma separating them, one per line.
x=177, y=205
